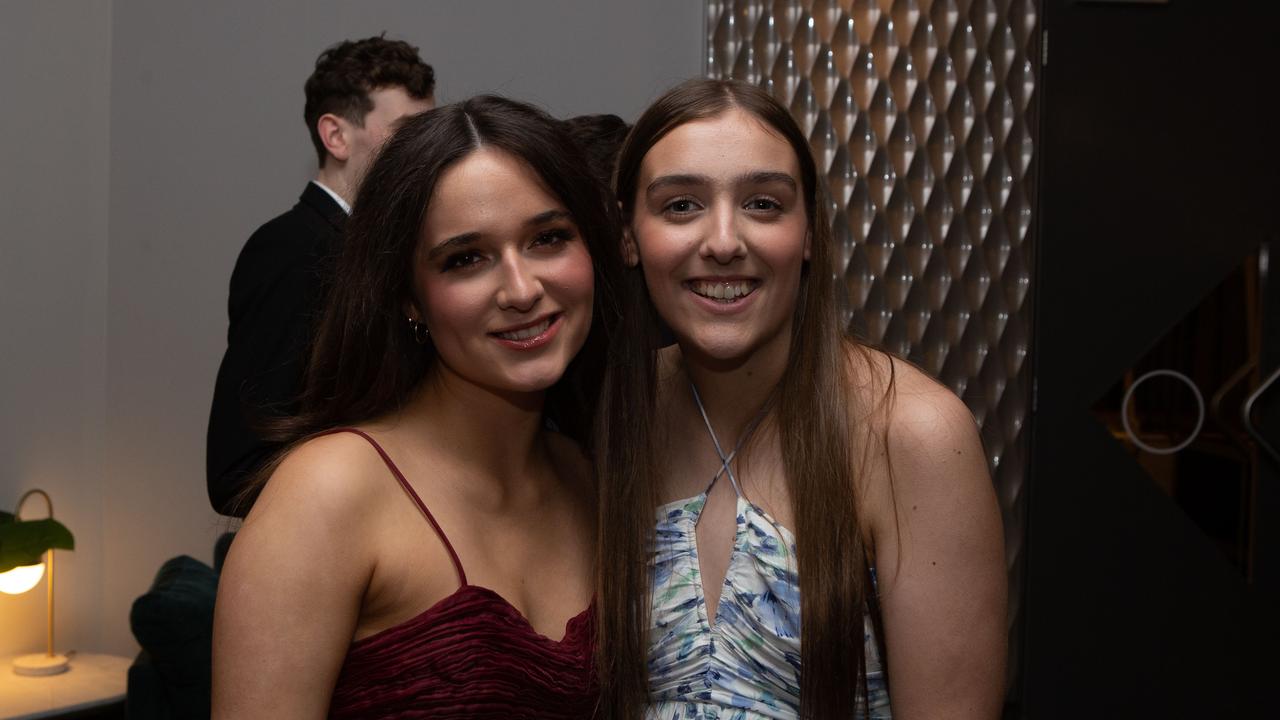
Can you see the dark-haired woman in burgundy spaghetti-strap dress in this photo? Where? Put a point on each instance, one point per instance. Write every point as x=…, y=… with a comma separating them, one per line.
x=426, y=548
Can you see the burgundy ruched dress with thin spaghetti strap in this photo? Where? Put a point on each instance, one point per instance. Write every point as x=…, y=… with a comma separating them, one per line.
x=472, y=655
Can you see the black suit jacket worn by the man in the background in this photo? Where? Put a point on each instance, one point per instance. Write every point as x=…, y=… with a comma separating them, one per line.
x=276, y=297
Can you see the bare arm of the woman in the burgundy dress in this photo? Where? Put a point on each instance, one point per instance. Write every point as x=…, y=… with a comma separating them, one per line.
x=291, y=591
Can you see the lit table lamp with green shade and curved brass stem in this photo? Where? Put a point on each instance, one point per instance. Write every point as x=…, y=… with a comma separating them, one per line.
x=22, y=543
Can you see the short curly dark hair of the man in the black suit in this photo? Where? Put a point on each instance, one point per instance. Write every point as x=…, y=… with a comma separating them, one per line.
x=348, y=72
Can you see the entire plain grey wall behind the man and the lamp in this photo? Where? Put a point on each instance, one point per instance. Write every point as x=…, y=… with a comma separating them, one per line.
x=200, y=106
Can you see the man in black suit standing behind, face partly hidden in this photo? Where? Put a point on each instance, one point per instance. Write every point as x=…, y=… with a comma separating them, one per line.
x=354, y=101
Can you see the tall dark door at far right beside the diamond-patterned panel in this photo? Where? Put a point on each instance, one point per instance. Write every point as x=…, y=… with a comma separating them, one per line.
x=1154, y=578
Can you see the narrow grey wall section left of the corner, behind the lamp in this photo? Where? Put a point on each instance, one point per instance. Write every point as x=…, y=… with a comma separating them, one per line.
x=54, y=84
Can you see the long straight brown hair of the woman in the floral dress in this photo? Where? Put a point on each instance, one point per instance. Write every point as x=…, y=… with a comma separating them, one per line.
x=812, y=403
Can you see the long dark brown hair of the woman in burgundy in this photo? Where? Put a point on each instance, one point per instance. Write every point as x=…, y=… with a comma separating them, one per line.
x=364, y=361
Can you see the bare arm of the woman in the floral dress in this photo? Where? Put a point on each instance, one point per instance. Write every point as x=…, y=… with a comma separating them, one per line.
x=940, y=559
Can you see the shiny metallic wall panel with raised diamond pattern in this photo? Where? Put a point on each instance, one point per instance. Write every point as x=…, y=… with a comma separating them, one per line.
x=921, y=112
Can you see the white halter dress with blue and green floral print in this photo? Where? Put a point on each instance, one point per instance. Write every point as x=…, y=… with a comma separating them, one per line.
x=746, y=663
